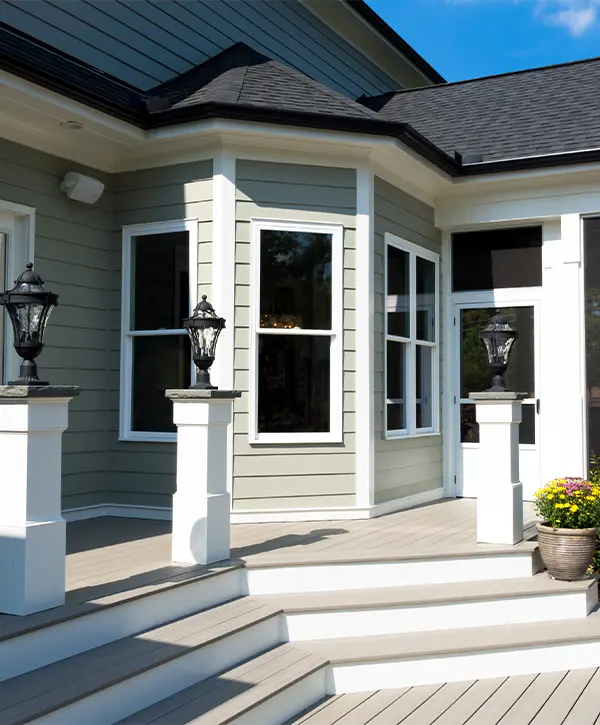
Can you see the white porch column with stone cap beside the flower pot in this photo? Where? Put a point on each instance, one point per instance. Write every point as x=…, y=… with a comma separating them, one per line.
x=500, y=492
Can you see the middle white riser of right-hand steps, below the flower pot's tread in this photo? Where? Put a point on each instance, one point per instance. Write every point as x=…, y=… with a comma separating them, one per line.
x=300, y=627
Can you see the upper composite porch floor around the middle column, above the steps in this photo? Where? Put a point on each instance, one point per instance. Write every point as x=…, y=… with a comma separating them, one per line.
x=108, y=558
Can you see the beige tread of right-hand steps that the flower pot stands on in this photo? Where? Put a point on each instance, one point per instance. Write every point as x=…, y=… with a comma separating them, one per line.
x=540, y=584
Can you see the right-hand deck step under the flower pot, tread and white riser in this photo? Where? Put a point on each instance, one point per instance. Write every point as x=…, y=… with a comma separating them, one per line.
x=364, y=612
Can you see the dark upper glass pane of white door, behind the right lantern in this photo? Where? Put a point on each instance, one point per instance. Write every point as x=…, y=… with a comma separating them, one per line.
x=475, y=374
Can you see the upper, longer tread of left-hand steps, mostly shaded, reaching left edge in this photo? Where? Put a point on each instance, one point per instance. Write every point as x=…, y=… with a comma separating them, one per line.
x=49, y=688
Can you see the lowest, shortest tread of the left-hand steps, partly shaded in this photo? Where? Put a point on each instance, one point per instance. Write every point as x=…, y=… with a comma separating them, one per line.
x=221, y=699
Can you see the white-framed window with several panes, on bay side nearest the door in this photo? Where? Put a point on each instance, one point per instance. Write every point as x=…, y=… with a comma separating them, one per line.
x=411, y=339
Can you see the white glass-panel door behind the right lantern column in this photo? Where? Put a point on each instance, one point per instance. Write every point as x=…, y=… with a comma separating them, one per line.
x=474, y=375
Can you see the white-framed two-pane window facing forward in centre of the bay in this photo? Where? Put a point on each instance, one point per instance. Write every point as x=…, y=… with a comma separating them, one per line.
x=296, y=333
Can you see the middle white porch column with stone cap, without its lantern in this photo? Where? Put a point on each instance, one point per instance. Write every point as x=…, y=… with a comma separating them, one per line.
x=201, y=504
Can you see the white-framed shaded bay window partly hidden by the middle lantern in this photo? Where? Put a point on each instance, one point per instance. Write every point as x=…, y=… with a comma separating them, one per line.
x=155, y=352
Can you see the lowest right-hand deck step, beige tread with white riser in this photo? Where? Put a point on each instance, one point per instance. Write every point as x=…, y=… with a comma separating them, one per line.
x=421, y=658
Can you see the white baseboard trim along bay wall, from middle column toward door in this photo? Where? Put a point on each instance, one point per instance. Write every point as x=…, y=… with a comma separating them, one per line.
x=336, y=514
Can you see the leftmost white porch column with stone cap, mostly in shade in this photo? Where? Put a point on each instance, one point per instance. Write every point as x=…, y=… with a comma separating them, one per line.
x=32, y=529
